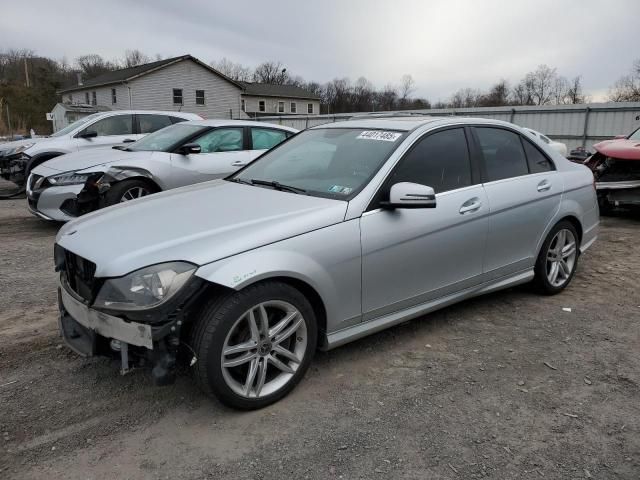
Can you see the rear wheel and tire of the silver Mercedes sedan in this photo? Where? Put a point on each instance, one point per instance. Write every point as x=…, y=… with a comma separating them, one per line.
x=558, y=259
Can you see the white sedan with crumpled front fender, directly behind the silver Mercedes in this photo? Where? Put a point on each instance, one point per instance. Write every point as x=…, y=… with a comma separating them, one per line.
x=182, y=154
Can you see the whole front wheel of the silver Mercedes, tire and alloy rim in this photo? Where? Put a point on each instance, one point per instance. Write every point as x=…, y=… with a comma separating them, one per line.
x=253, y=346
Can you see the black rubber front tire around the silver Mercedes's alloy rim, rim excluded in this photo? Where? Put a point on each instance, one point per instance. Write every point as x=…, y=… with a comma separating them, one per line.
x=225, y=317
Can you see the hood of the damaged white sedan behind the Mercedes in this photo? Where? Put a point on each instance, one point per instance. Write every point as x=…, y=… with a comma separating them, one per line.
x=88, y=158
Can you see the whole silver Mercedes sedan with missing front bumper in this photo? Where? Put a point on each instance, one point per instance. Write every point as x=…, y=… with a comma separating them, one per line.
x=338, y=232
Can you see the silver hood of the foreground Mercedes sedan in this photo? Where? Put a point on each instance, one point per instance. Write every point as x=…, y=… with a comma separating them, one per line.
x=200, y=224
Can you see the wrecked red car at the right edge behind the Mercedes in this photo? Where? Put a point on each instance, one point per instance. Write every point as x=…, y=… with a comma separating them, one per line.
x=616, y=167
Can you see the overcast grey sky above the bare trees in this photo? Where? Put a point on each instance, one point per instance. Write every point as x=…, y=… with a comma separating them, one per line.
x=444, y=44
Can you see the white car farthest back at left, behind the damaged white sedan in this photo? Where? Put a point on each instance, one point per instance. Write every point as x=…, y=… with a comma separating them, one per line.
x=102, y=129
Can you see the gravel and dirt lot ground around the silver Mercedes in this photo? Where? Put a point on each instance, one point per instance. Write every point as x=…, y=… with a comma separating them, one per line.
x=505, y=386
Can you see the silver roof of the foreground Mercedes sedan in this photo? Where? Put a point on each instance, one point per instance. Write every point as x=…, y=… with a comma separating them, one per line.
x=410, y=122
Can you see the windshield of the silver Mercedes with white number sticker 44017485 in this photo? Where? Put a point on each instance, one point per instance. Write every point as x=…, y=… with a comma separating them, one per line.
x=330, y=162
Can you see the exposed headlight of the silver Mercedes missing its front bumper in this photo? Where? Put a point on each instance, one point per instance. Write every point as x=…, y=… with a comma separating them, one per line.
x=144, y=288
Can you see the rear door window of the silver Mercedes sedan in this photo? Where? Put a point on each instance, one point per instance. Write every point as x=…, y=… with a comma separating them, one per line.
x=503, y=154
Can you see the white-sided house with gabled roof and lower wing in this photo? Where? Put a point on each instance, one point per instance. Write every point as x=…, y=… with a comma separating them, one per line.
x=186, y=84
